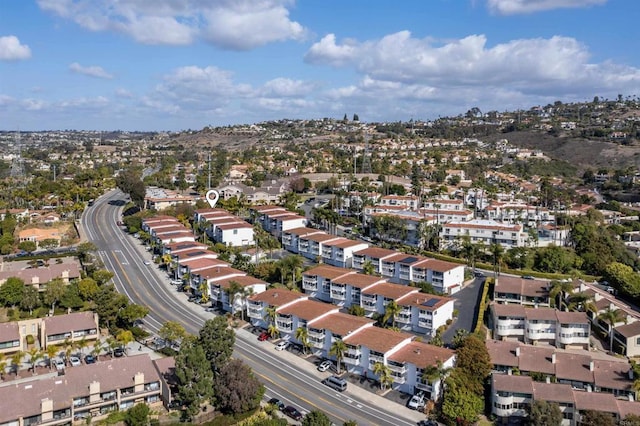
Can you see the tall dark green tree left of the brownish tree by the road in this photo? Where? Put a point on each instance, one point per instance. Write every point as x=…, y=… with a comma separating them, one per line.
x=194, y=377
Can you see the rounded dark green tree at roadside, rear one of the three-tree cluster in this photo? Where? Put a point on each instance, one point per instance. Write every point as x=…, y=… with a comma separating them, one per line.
x=217, y=340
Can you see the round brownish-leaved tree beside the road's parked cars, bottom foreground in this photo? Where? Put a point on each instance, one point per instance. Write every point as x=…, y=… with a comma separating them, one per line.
x=237, y=389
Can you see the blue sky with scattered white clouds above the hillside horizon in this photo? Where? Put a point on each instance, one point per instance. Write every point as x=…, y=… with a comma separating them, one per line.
x=186, y=64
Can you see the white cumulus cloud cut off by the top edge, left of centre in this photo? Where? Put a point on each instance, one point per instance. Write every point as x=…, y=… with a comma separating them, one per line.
x=229, y=24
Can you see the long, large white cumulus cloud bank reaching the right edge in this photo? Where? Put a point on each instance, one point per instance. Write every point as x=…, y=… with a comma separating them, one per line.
x=557, y=63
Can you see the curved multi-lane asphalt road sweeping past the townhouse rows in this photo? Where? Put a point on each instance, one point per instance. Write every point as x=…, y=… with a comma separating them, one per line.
x=146, y=285
